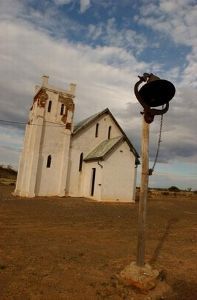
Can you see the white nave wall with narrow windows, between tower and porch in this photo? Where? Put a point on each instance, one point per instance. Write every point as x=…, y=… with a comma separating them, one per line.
x=85, y=142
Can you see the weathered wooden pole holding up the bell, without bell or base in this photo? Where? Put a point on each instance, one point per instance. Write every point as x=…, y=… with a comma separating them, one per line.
x=143, y=194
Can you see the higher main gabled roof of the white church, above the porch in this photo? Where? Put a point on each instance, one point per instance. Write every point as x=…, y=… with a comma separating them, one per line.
x=87, y=122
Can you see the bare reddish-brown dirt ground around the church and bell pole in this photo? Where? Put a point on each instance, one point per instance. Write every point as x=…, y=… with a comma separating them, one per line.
x=72, y=248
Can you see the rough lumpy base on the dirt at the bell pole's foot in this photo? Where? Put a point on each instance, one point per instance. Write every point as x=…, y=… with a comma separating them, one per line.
x=146, y=279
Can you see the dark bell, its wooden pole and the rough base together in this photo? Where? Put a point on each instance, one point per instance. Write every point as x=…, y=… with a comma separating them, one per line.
x=154, y=92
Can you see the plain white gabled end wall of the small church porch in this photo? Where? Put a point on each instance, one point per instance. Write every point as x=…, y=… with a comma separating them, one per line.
x=119, y=172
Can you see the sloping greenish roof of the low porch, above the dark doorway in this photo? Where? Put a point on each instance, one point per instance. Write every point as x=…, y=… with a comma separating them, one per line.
x=103, y=149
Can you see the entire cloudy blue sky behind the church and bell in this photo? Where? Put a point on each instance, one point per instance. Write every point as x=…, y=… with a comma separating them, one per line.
x=102, y=46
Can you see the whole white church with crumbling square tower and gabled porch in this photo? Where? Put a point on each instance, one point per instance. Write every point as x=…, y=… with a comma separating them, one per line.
x=92, y=159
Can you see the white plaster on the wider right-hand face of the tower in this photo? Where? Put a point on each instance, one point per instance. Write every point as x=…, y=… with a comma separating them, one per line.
x=55, y=141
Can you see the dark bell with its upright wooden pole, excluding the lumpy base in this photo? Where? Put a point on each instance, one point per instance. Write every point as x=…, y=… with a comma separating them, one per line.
x=155, y=92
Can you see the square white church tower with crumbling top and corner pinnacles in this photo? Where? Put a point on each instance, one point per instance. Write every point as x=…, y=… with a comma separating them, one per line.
x=44, y=160
